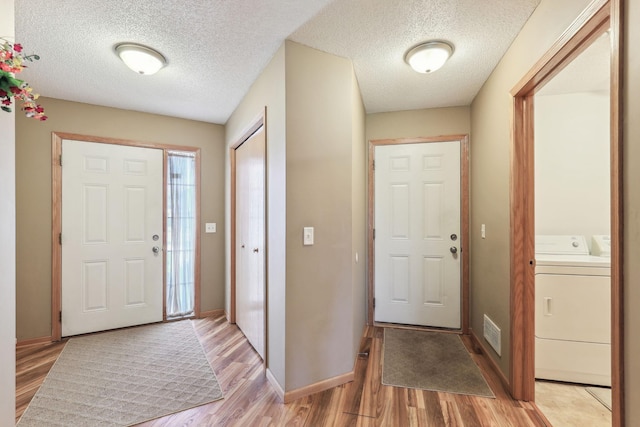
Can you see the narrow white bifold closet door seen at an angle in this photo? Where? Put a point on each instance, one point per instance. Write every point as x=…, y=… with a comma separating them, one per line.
x=250, y=240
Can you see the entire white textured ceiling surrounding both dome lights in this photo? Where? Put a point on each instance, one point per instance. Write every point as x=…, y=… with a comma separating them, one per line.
x=217, y=48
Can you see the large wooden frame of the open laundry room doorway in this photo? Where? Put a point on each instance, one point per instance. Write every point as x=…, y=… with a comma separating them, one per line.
x=599, y=16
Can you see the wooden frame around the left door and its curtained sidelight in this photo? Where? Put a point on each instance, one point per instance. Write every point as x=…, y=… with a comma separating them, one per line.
x=56, y=218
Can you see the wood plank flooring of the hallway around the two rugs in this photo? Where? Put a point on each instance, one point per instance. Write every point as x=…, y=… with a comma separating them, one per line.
x=249, y=399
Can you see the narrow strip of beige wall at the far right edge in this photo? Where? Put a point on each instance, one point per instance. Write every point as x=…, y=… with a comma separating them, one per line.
x=631, y=177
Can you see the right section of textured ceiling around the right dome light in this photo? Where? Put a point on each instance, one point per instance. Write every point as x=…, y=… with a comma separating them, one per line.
x=377, y=34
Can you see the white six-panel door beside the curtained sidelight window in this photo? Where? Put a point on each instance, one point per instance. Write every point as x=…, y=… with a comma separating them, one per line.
x=111, y=215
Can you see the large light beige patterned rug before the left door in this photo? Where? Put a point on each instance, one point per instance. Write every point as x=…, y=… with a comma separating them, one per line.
x=125, y=377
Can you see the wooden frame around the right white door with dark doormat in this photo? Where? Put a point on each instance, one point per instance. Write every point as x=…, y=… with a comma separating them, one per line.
x=464, y=218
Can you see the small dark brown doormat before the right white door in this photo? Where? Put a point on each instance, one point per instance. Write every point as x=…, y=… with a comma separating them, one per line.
x=430, y=361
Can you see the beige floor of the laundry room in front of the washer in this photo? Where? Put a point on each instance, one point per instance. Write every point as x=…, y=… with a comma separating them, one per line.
x=567, y=405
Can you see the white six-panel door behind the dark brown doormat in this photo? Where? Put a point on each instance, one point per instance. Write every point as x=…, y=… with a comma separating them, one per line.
x=417, y=234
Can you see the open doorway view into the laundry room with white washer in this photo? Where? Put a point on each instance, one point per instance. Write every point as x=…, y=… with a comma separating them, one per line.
x=572, y=226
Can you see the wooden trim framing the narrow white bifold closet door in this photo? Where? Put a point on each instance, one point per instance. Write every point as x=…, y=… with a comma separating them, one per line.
x=259, y=121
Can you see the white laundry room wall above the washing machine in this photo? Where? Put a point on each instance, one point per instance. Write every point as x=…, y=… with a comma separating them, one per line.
x=572, y=164
